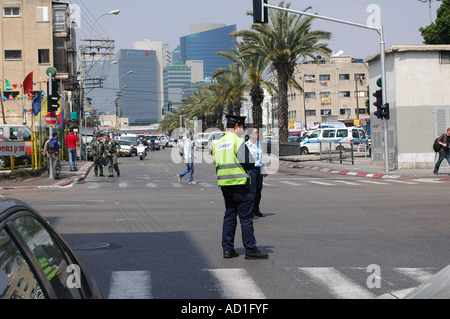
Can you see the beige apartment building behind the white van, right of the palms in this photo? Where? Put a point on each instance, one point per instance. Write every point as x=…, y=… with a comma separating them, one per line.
x=334, y=90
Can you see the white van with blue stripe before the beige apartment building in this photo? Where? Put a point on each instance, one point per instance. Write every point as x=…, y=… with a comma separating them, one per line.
x=311, y=143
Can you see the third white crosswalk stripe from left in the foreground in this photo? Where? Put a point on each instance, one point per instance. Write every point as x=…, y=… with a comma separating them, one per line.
x=338, y=284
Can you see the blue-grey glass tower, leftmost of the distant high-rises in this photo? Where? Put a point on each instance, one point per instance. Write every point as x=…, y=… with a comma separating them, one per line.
x=139, y=96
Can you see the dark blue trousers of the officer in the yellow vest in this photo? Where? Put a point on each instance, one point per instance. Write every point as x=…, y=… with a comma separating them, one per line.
x=238, y=202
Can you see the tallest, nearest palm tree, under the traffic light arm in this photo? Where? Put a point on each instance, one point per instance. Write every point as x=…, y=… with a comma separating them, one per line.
x=285, y=40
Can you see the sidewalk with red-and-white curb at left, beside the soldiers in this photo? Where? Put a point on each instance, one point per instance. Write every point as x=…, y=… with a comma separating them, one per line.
x=66, y=178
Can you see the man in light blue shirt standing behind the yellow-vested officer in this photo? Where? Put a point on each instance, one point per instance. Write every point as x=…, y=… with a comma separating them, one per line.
x=256, y=174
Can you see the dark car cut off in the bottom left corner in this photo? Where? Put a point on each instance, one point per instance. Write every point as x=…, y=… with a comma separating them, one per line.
x=35, y=262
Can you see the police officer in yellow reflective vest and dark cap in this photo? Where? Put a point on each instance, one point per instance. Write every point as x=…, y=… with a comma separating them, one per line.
x=233, y=161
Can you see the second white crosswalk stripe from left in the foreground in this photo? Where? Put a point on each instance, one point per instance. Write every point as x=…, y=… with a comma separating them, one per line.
x=235, y=283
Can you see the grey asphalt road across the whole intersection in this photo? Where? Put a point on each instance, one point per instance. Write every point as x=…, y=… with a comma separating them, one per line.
x=147, y=235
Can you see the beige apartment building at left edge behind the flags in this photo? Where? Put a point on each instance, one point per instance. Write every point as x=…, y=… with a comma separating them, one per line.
x=35, y=35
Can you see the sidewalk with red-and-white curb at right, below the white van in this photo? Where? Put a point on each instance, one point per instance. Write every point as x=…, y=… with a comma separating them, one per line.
x=362, y=168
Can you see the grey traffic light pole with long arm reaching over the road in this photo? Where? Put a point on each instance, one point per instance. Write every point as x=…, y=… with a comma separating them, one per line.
x=382, y=59
